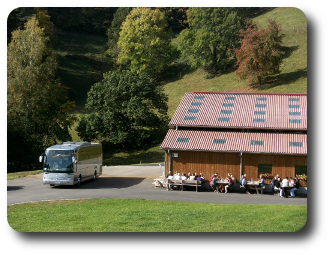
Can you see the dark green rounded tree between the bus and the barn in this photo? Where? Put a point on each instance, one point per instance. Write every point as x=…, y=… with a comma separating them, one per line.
x=125, y=108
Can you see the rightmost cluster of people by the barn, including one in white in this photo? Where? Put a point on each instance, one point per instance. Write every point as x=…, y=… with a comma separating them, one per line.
x=284, y=185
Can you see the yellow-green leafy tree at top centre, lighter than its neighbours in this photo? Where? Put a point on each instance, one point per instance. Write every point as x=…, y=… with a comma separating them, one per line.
x=144, y=42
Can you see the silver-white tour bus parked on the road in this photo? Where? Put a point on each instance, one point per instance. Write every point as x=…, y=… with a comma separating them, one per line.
x=71, y=163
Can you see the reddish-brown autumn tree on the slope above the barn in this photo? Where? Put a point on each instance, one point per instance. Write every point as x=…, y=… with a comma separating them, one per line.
x=260, y=55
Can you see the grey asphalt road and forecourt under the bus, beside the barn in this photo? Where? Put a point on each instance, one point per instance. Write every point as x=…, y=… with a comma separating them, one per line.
x=129, y=182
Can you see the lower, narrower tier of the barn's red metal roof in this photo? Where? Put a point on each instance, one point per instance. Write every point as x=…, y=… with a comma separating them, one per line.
x=235, y=142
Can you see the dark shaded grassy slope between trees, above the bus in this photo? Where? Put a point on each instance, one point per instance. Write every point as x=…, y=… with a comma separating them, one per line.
x=82, y=62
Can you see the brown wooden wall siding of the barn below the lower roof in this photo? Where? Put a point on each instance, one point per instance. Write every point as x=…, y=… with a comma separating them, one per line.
x=209, y=163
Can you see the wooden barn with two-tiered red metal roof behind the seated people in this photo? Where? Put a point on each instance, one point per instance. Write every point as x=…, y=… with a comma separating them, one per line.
x=238, y=133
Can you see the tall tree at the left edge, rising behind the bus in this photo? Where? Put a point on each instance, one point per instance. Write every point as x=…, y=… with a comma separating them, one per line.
x=37, y=107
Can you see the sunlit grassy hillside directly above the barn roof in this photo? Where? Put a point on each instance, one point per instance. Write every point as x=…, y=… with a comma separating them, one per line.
x=293, y=76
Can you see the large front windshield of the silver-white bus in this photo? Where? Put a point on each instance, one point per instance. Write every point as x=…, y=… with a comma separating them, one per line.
x=60, y=161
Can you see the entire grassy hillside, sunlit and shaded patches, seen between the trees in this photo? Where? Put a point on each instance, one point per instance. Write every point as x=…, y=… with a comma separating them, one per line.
x=82, y=63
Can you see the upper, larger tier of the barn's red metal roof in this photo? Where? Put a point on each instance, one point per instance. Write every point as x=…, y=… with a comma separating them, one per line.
x=242, y=110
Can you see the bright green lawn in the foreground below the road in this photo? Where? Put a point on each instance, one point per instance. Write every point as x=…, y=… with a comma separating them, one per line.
x=140, y=215
